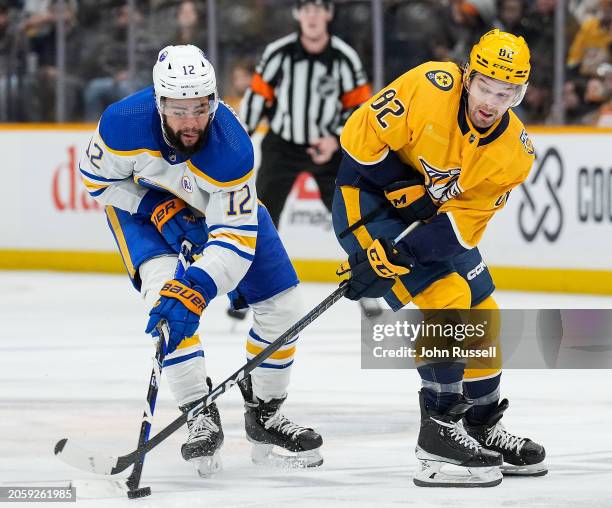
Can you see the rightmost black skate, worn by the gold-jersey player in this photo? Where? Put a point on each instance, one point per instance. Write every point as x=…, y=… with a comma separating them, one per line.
x=522, y=456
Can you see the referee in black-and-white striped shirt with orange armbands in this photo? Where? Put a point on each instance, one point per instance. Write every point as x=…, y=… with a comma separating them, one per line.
x=307, y=84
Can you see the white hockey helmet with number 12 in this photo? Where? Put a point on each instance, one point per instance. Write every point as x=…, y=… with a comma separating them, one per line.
x=184, y=72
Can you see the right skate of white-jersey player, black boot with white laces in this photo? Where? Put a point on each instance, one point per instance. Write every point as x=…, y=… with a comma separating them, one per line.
x=266, y=428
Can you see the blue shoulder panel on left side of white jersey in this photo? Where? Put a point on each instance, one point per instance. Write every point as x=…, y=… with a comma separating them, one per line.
x=126, y=125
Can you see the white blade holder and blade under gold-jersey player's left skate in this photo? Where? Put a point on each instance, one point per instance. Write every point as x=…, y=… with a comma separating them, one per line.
x=436, y=473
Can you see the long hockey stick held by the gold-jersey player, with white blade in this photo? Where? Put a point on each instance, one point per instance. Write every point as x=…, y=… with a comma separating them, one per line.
x=109, y=465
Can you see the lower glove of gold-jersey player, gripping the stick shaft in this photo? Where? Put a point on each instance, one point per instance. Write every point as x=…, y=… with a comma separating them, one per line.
x=374, y=270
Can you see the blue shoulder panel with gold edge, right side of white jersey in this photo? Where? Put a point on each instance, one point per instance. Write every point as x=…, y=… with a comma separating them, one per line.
x=227, y=159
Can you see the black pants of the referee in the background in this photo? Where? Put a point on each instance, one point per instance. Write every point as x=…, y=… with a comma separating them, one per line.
x=281, y=163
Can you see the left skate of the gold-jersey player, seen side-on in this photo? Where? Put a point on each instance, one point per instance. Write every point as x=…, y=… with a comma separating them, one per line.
x=444, y=442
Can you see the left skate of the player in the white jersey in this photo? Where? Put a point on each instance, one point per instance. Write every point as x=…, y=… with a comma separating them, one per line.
x=205, y=438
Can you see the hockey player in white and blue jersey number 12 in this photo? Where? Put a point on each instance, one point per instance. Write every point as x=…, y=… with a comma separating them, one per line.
x=170, y=163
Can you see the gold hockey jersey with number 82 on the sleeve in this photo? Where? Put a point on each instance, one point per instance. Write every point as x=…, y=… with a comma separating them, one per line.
x=422, y=117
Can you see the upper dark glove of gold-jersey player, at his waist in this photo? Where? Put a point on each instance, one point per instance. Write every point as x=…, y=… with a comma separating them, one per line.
x=411, y=201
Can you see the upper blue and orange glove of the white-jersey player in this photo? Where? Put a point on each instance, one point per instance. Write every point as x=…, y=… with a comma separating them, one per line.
x=176, y=223
